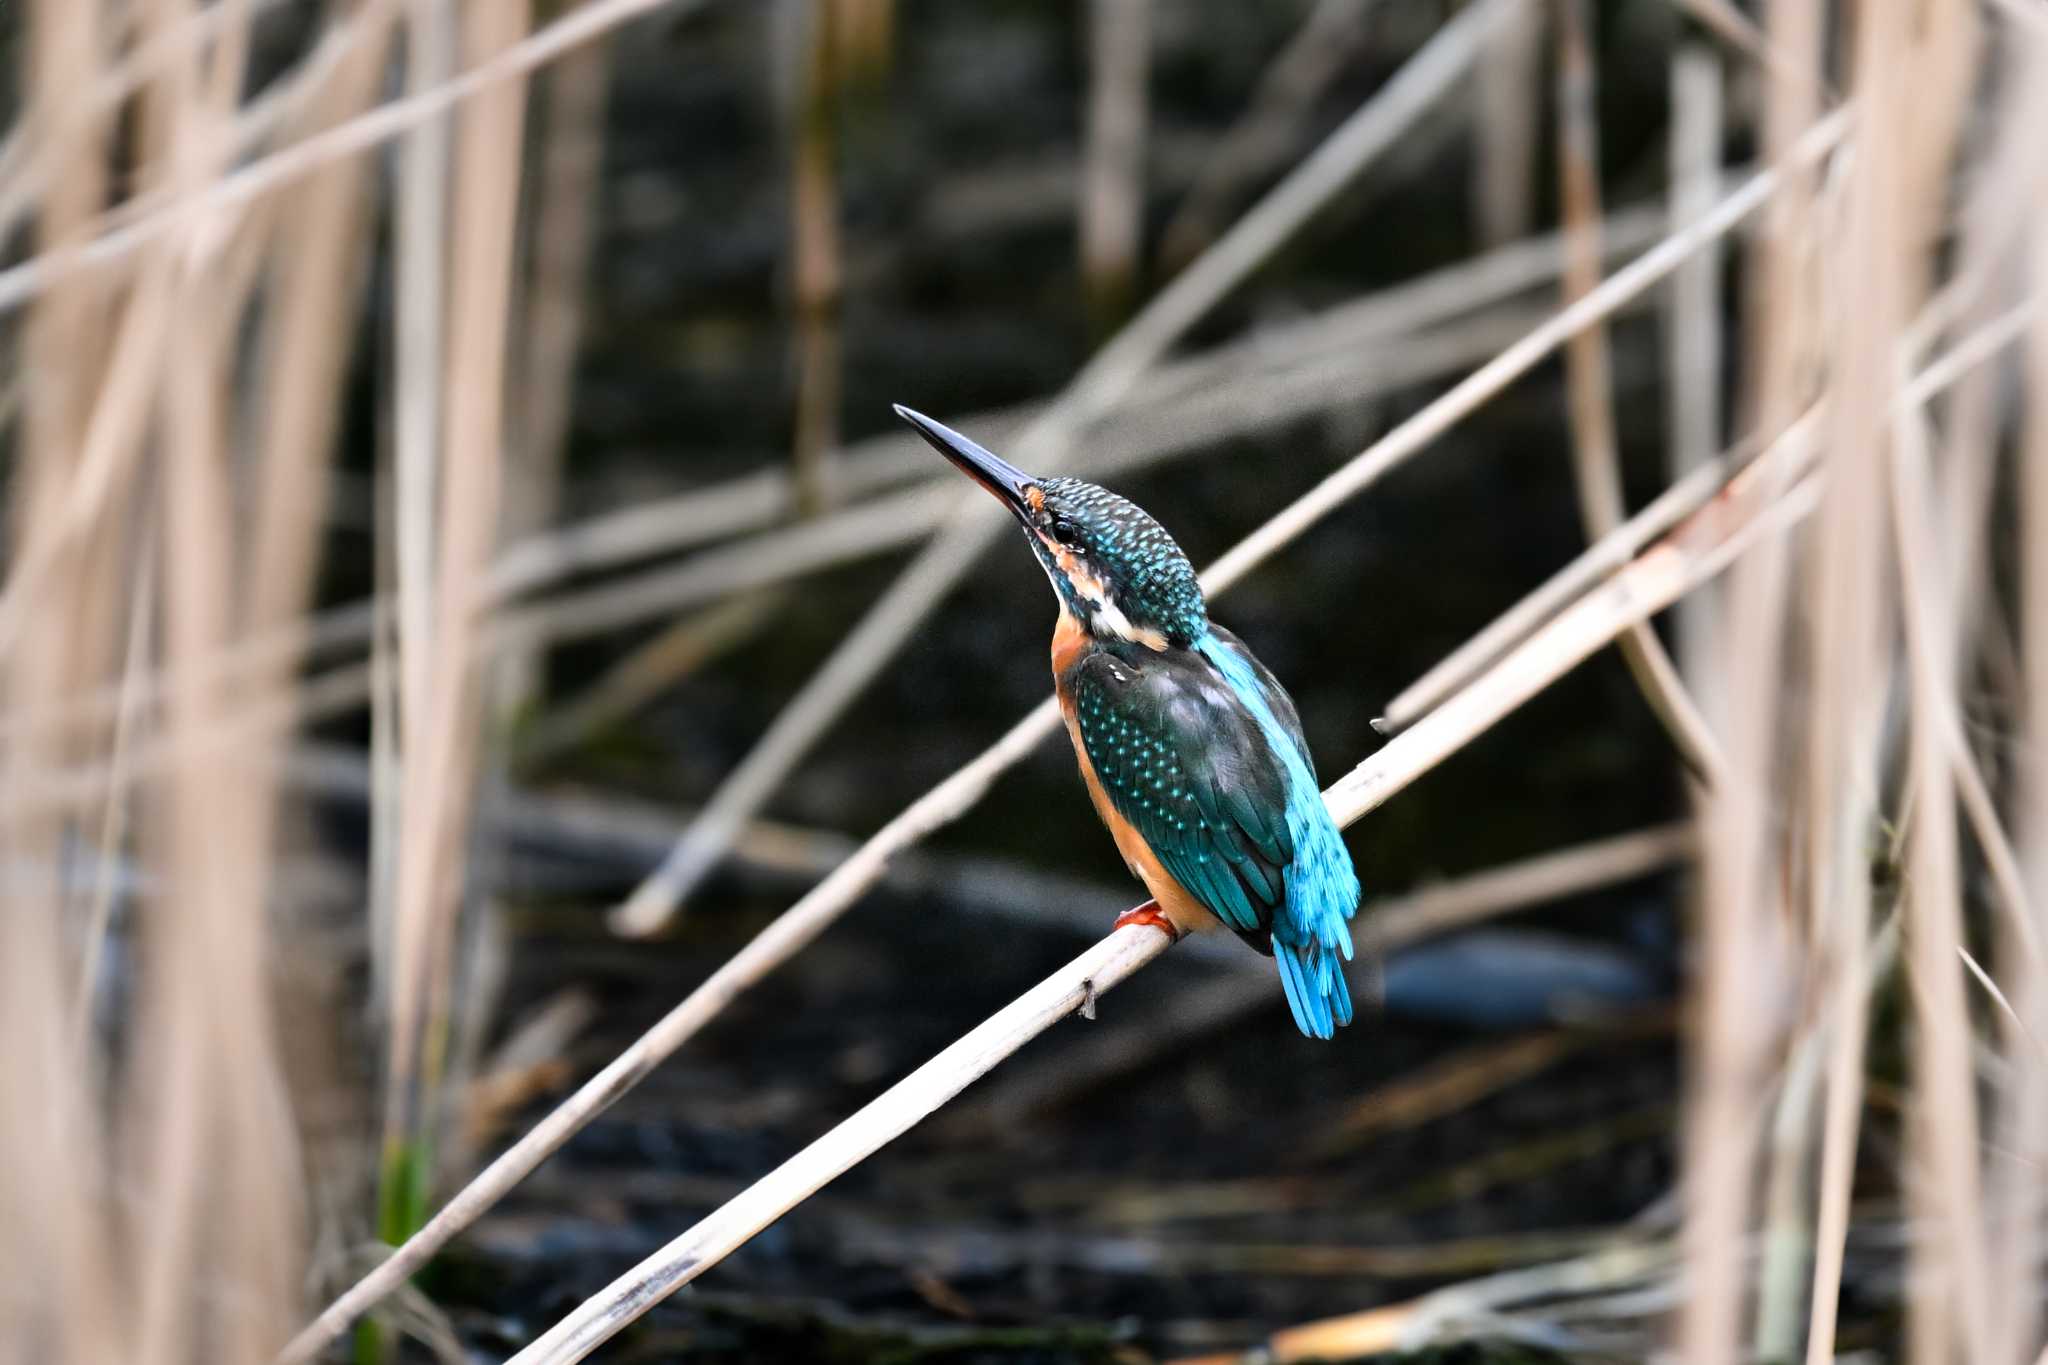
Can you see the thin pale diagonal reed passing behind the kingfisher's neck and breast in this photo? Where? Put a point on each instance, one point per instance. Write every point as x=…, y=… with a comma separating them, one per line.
x=964, y=789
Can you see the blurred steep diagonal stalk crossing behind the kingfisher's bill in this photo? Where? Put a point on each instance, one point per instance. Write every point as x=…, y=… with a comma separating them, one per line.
x=1377, y=128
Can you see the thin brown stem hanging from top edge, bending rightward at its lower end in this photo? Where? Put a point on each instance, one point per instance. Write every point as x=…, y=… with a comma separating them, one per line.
x=1590, y=382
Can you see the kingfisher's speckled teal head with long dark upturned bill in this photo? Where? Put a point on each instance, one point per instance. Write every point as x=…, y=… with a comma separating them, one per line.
x=1111, y=564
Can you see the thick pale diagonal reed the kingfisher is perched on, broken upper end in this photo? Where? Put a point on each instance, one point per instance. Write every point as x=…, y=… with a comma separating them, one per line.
x=1648, y=586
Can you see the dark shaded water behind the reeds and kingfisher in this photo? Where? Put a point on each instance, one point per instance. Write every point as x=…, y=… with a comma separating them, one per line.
x=1205, y=1198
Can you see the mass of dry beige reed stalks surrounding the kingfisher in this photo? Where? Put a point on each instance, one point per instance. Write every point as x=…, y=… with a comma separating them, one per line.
x=189, y=328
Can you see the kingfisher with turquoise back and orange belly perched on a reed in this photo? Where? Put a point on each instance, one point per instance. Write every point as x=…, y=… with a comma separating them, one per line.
x=1191, y=750
